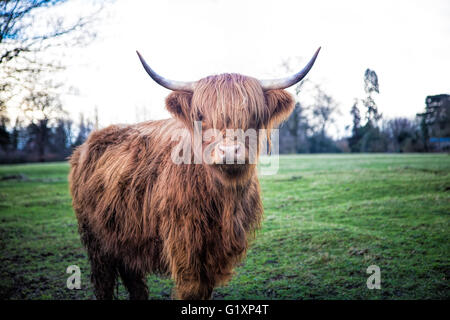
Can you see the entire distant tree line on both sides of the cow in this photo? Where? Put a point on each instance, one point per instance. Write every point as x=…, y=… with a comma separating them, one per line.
x=52, y=136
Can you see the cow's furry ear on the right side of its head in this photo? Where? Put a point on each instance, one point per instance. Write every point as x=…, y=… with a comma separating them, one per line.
x=280, y=104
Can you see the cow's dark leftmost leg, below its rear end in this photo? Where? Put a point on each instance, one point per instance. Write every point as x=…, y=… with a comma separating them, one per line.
x=103, y=277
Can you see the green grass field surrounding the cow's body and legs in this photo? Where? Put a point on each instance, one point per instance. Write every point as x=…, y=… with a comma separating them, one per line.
x=327, y=218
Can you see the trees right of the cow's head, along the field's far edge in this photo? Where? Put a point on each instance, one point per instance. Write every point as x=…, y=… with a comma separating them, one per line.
x=306, y=129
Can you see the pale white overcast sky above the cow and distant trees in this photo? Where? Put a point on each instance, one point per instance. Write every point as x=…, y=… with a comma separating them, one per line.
x=406, y=42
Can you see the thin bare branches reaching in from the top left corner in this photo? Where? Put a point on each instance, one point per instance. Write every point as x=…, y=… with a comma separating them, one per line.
x=29, y=29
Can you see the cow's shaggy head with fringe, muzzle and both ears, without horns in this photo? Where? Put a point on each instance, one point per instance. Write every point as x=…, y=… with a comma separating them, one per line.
x=230, y=115
